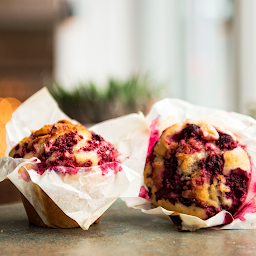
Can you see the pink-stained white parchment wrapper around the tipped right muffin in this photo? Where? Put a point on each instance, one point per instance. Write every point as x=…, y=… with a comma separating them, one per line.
x=170, y=111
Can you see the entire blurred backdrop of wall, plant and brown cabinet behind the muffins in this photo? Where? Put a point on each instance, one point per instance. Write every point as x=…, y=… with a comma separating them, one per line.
x=101, y=59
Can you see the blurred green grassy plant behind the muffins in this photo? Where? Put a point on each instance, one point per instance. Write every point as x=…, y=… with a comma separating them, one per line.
x=89, y=104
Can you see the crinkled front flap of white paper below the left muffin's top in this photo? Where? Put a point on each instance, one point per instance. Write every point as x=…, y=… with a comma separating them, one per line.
x=60, y=188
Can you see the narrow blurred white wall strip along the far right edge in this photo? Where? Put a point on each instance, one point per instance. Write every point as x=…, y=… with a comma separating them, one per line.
x=246, y=53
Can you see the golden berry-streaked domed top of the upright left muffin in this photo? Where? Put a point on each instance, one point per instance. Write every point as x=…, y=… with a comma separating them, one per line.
x=65, y=144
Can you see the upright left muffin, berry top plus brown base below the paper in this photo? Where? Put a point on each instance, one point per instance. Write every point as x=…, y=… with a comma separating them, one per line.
x=58, y=145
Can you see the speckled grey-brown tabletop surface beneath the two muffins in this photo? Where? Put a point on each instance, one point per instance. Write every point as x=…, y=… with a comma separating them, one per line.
x=121, y=231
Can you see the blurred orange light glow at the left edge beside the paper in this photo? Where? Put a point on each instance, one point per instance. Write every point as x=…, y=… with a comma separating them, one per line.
x=7, y=107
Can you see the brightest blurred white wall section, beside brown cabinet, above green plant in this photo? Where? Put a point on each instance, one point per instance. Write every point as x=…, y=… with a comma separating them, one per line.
x=97, y=43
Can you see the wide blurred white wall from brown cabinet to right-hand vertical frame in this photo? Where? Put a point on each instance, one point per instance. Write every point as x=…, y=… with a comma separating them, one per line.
x=182, y=43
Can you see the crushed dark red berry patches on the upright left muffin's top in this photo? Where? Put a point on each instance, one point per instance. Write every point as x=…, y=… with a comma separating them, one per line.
x=61, y=152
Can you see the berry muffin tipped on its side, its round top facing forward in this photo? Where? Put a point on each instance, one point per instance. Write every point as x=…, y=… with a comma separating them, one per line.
x=197, y=168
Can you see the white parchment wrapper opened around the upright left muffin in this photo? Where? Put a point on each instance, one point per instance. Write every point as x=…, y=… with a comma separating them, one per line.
x=85, y=196
